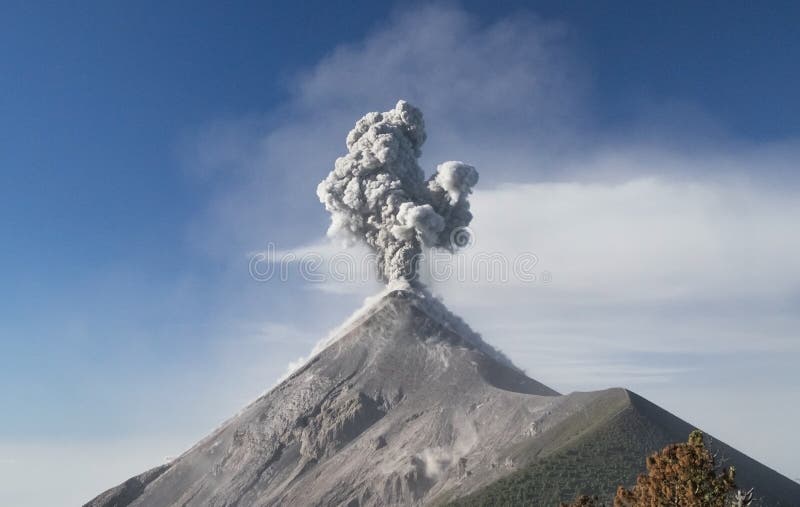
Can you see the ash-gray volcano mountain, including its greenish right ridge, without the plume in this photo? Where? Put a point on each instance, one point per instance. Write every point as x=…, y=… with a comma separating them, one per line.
x=408, y=407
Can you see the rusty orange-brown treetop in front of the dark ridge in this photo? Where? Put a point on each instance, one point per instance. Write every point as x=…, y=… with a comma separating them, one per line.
x=681, y=475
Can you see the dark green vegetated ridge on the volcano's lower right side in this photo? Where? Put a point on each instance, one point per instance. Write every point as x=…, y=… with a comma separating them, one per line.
x=594, y=452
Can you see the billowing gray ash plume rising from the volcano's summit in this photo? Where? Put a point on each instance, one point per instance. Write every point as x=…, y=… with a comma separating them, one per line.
x=378, y=193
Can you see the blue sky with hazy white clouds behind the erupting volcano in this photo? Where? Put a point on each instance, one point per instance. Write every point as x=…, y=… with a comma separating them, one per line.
x=148, y=150
